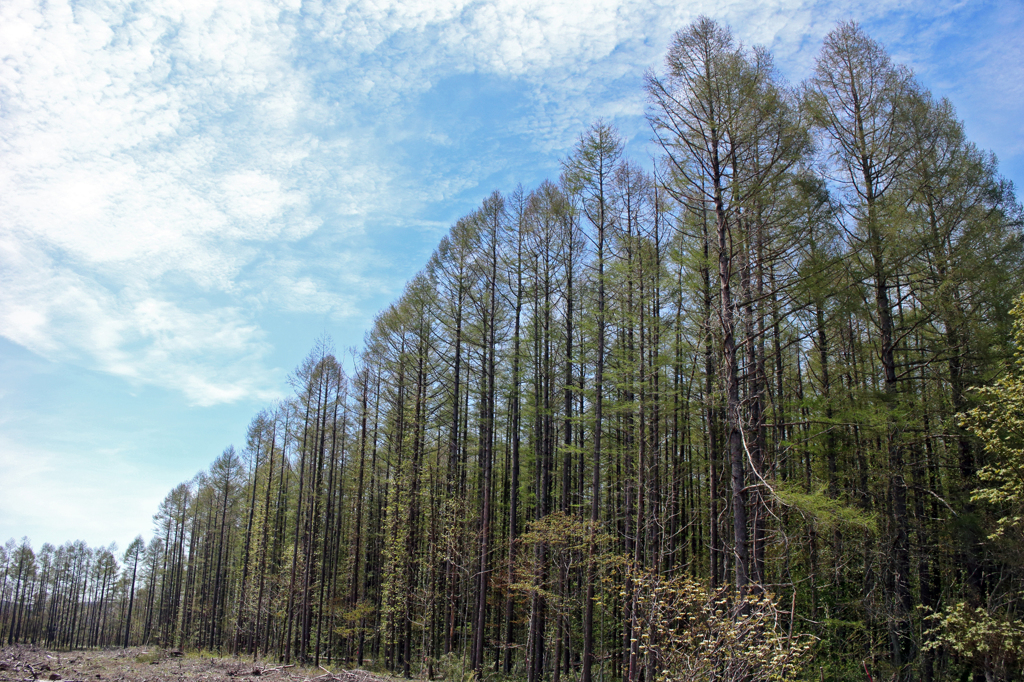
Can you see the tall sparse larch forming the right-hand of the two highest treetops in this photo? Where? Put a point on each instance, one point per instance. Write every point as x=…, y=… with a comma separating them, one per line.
x=863, y=105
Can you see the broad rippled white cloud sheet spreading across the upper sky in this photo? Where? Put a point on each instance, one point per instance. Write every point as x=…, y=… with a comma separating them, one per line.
x=170, y=169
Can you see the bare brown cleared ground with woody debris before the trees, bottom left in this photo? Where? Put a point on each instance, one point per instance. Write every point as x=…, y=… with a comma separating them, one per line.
x=30, y=664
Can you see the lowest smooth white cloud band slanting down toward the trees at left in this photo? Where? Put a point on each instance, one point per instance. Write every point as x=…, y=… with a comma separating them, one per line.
x=210, y=356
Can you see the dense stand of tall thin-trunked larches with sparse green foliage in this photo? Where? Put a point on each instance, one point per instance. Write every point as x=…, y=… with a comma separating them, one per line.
x=753, y=413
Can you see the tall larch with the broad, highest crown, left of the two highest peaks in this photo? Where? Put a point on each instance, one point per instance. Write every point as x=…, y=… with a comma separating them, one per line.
x=731, y=138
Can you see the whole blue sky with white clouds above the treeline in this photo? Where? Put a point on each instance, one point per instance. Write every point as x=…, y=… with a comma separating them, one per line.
x=192, y=192
